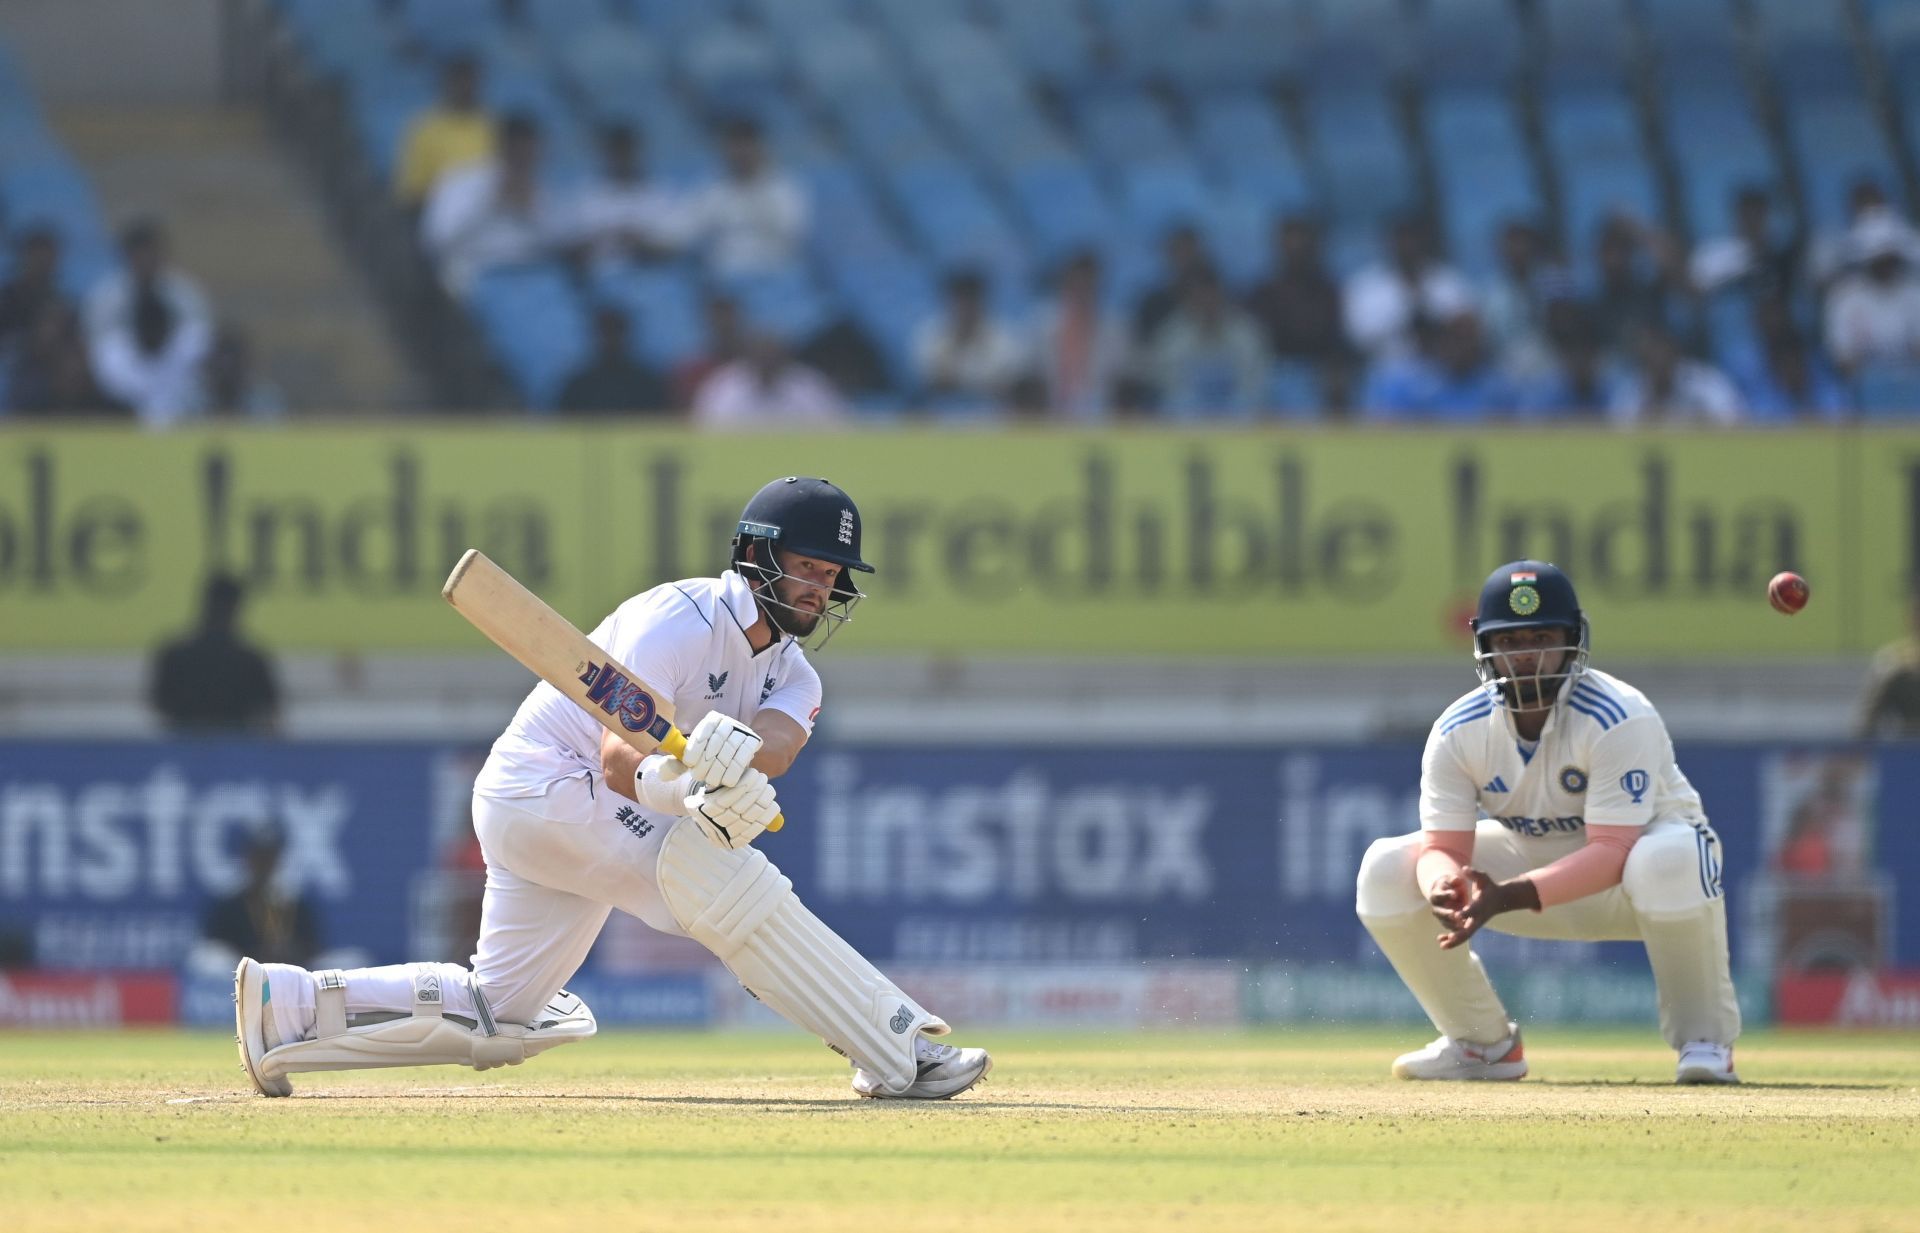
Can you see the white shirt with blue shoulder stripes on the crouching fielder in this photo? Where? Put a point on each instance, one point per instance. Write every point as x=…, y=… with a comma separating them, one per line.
x=1602, y=760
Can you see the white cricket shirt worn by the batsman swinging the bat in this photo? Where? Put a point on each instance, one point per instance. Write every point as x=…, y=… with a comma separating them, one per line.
x=688, y=644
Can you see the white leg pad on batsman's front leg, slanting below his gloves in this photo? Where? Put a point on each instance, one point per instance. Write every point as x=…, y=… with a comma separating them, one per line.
x=744, y=909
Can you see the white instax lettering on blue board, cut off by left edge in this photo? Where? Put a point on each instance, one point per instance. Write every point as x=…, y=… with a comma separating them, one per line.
x=164, y=838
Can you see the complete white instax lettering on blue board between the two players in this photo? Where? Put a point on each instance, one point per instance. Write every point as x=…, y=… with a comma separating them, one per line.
x=1022, y=838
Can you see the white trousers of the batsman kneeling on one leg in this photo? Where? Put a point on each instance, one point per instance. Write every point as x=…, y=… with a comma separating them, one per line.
x=556, y=867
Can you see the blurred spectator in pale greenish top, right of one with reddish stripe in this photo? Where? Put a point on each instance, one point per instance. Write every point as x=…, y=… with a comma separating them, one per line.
x=1209, y=358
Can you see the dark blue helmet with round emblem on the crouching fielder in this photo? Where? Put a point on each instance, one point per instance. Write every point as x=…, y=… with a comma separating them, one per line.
x=1529, y=596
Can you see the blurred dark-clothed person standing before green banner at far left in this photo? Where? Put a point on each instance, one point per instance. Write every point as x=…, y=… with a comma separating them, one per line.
x=214, y=681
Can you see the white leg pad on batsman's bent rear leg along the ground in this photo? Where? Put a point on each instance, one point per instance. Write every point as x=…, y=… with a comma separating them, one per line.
x=425, y=1038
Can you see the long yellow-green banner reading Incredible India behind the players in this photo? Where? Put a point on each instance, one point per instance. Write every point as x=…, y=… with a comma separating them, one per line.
x=1155, y=543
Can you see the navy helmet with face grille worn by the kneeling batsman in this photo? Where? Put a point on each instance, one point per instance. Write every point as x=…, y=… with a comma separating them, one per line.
x=809, y=518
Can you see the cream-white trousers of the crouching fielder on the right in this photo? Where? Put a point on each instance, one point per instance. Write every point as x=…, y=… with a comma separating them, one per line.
x=1669, y=898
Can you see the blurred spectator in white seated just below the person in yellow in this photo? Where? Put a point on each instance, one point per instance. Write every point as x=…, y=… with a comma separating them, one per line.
x=492, y=214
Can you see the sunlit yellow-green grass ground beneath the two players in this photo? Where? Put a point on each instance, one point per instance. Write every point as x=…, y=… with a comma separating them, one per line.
x=1268, y=1130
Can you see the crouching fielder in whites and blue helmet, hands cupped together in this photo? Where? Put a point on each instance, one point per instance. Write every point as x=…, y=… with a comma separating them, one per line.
x=1550, y=808
